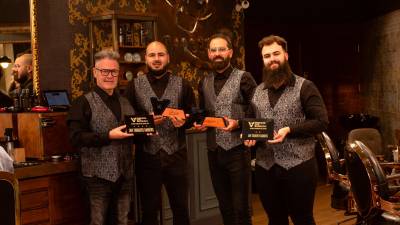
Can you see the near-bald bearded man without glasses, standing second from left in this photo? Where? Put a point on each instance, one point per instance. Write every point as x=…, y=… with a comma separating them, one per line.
x=161, y=159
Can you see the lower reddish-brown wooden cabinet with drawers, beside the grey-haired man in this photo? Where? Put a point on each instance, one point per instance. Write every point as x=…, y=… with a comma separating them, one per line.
x=54, y=199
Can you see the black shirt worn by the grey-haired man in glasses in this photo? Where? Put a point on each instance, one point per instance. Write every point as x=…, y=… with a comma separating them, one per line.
x=79, y=117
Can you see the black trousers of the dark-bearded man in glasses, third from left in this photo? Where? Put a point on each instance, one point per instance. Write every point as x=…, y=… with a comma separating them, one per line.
x=231, y=174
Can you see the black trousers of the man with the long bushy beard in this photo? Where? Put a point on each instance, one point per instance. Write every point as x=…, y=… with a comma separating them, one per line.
x=285, y=193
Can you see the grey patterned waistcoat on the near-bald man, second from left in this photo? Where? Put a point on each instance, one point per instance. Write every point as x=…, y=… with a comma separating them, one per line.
x=167, y=138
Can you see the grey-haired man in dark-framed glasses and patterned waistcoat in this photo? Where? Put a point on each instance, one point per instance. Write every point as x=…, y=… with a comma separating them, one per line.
x=95, y=122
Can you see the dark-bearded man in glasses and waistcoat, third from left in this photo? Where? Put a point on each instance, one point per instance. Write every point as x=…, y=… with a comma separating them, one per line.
x=226, y=92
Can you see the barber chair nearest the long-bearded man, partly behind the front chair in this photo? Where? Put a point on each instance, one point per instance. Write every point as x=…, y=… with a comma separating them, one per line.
x=335, y=171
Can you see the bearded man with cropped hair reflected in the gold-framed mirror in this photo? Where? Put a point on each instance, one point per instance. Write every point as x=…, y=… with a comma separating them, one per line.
x=22, y=74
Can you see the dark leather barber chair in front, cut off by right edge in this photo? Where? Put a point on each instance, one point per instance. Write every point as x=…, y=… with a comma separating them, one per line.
x=377, y=202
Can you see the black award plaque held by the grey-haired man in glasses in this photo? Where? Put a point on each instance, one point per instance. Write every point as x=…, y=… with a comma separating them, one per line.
x=140, y=124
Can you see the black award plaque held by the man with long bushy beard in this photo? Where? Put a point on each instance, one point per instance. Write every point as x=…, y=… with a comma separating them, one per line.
x=257, y=129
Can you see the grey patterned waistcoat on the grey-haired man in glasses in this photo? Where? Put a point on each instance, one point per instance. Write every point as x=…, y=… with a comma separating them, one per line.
x=111, y=161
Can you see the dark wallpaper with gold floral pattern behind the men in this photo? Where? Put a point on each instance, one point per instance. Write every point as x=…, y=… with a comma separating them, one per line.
x=192, y=64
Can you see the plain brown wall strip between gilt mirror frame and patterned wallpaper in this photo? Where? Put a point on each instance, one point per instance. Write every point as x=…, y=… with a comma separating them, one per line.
x=54, y=41
